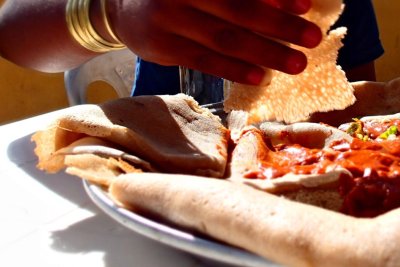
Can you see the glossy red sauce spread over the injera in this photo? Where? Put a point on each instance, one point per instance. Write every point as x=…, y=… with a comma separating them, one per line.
x=373, y=188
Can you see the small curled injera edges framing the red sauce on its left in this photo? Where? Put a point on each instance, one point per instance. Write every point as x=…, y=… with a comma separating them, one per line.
x=249, y=149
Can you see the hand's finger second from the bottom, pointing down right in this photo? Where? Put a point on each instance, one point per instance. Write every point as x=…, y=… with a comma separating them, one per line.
x=237, y=43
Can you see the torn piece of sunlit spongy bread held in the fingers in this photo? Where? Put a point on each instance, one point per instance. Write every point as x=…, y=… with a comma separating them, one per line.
x=321, y=87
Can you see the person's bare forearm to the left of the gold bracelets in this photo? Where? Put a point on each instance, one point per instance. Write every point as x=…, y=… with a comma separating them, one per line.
x=34, y=34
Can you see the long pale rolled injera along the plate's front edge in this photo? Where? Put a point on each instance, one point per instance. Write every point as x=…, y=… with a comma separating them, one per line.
x=284, y=231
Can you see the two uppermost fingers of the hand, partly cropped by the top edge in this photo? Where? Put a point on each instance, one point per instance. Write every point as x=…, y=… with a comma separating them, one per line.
x=269, y=18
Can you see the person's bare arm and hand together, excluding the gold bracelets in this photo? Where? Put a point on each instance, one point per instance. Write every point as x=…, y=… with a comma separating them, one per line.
x=226, y=38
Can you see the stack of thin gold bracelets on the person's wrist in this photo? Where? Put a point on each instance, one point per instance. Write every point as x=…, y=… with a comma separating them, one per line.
x=82, y=30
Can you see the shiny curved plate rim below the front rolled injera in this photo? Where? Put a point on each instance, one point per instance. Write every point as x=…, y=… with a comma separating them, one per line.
x=172, y=236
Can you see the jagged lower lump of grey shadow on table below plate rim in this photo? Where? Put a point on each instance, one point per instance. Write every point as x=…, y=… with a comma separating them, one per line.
x=131, y=248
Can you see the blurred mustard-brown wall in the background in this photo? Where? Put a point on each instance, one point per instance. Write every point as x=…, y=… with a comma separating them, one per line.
x=25, y=93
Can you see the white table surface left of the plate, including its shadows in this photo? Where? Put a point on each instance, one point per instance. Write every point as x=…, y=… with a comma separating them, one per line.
x=48, y=220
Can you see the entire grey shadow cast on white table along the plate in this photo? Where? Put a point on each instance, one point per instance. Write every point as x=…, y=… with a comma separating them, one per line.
x=87, y=236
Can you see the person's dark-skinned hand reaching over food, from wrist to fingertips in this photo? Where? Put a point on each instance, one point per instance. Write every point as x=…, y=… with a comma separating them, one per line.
x=233, y=39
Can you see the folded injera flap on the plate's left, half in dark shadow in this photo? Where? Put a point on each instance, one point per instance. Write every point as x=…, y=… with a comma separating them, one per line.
x=173, y=132
